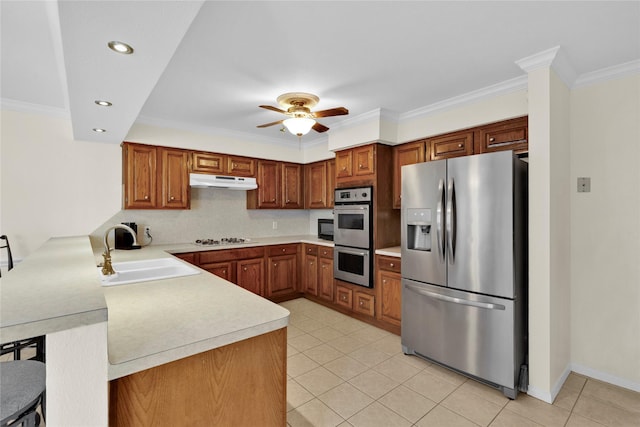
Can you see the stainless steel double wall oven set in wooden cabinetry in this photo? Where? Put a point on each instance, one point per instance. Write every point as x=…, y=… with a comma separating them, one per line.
x=353, y=235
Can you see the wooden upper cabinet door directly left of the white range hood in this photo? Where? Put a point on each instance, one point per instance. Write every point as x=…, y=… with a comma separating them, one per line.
x=174, y=179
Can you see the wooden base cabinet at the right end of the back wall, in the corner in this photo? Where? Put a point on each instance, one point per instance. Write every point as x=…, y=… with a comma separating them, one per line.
x=282, y=270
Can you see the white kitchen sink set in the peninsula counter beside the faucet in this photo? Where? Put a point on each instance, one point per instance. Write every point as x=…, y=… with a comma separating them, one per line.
x=146, y=270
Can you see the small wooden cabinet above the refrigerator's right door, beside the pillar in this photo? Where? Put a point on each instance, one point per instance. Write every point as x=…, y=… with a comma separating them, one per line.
x=507, y=135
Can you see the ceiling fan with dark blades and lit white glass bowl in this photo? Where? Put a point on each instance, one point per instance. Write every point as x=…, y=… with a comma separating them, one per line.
x=297, y=105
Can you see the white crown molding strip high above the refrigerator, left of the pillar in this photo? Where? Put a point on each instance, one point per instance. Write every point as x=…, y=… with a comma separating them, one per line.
x=503, y=88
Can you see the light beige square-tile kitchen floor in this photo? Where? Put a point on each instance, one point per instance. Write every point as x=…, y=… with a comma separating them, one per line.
x=344, y=372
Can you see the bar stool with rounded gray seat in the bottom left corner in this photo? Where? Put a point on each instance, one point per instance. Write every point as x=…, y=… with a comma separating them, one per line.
x=22, y=387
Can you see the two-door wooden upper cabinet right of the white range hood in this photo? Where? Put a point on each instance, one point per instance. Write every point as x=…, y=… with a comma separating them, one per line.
x=279, y=186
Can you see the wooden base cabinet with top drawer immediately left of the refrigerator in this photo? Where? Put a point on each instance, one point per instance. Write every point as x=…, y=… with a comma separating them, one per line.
x=388, y=280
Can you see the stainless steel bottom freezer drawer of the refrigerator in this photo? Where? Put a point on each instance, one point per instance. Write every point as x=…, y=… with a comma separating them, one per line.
x=471, y=333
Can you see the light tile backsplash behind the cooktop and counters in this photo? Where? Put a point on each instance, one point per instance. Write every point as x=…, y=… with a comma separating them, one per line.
x=217, y=213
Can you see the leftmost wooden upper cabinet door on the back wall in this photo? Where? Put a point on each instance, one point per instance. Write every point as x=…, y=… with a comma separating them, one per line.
x=140, y=176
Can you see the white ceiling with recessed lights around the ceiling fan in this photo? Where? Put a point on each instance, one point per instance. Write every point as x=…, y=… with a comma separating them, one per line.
x=206, y=66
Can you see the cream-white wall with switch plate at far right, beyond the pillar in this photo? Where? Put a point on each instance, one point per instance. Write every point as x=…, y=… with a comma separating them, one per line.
x=605, y=231
